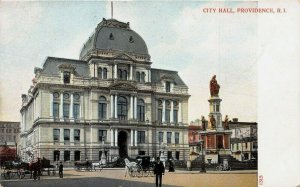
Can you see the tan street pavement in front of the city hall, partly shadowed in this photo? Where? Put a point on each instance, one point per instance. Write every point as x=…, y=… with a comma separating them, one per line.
x=116, y=178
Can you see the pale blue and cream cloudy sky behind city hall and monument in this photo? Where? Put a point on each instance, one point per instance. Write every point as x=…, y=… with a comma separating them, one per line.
x=179, y=37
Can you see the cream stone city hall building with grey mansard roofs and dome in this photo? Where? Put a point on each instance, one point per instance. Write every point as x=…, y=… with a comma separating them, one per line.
x=109, y=102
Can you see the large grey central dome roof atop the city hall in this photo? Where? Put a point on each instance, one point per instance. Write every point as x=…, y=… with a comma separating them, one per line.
x=112, y=35
